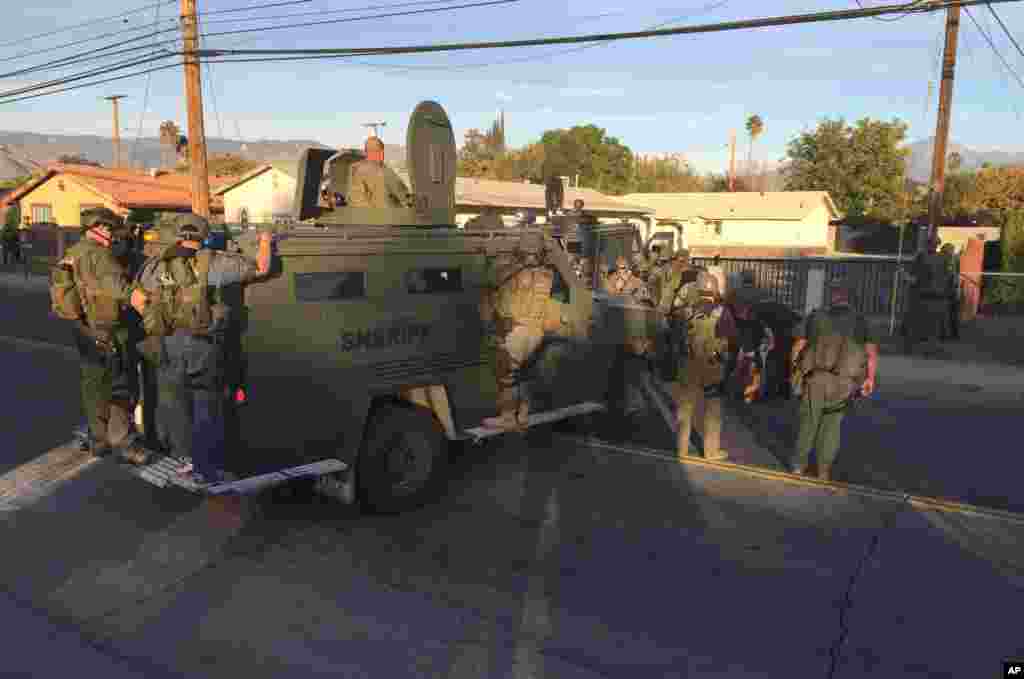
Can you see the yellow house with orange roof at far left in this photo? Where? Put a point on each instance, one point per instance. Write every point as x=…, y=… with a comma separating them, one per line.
x=59, y=196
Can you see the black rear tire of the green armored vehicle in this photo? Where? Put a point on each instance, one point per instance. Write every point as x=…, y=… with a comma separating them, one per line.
x=389, y=486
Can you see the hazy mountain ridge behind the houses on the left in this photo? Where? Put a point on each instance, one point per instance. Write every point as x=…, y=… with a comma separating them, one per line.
x=22, y=153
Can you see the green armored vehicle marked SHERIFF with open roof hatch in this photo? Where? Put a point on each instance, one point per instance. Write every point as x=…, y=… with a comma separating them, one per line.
x=378, y=335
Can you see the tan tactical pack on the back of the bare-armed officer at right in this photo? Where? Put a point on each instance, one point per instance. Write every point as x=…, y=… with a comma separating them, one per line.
x=836, y=363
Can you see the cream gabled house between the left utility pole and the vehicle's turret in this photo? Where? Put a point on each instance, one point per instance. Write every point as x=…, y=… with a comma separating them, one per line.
x=262, y=196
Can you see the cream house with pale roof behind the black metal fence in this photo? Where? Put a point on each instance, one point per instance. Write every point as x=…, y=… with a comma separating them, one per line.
x=746, y=224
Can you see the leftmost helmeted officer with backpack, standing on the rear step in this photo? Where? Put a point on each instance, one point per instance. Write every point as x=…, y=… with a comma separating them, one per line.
x=93, y=288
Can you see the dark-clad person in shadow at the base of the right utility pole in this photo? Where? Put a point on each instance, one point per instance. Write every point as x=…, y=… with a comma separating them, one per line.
x=929, y=304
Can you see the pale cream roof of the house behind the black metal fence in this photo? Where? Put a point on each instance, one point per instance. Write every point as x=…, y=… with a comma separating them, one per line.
x=736, y=205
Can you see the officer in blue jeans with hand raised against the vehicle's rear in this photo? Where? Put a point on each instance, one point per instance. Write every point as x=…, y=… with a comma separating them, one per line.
x=192, y=320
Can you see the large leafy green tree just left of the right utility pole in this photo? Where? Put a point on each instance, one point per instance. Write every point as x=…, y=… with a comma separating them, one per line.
x=862, y=166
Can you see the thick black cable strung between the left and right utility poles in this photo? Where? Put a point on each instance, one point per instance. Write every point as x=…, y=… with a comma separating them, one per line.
x=835, y=16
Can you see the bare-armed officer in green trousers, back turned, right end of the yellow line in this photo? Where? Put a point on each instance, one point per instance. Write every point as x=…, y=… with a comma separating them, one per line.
x=835, y=358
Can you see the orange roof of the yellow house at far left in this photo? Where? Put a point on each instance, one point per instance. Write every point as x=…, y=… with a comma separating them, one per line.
x=126, y=189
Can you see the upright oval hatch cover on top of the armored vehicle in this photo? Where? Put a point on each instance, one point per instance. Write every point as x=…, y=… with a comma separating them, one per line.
x=432, y=159
